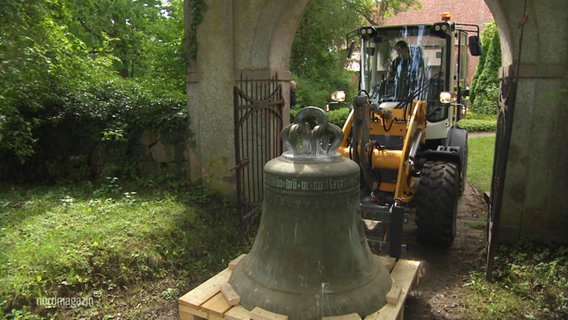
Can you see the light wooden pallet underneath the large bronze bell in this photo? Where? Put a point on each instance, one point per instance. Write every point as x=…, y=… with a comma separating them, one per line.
x=215, y=299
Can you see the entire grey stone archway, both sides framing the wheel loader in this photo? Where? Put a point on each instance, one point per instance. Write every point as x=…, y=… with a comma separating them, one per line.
x=255, y=36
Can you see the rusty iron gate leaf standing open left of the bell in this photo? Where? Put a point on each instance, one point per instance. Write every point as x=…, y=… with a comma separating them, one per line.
x=258, y=106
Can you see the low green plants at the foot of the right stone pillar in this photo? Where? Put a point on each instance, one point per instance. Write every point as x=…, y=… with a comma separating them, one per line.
x=530, y=282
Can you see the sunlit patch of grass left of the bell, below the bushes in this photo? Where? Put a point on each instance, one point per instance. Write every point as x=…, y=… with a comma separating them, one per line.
x=101, y=242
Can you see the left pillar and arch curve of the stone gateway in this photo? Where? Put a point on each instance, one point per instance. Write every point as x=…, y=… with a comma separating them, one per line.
x=250, y=38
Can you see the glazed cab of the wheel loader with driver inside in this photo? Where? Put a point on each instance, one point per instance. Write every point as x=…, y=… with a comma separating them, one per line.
x=435, y=61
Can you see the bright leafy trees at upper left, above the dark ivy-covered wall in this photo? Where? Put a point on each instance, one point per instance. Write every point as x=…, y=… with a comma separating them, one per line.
x=52, y=51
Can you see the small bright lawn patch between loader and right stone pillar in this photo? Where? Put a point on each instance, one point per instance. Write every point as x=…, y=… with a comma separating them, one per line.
x=480, y=162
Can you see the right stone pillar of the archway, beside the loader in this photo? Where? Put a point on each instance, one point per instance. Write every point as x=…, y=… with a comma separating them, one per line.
x=534, y=201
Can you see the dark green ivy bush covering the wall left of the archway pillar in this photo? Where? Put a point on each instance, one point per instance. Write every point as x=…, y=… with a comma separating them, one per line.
x=104, y=117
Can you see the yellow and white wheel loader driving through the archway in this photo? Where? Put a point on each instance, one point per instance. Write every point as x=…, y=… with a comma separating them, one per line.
x=402, y=129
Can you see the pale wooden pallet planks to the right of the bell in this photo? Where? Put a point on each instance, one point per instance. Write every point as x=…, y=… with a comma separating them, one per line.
x=404, y=274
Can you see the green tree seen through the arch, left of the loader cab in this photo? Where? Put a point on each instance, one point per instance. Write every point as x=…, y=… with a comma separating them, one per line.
x=318, y=57
